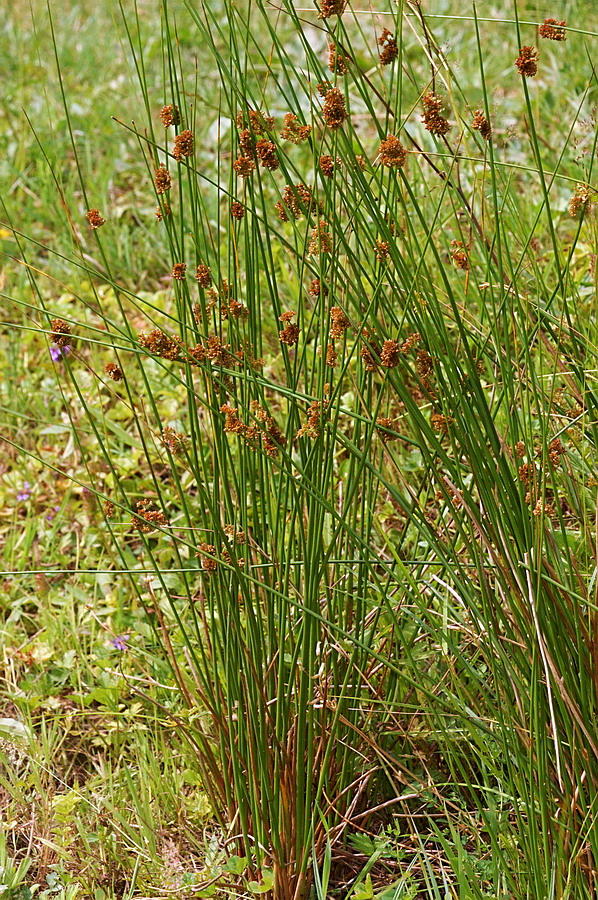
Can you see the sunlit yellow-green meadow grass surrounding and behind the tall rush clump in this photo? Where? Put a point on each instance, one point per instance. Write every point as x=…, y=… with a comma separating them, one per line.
x=109, y=796
